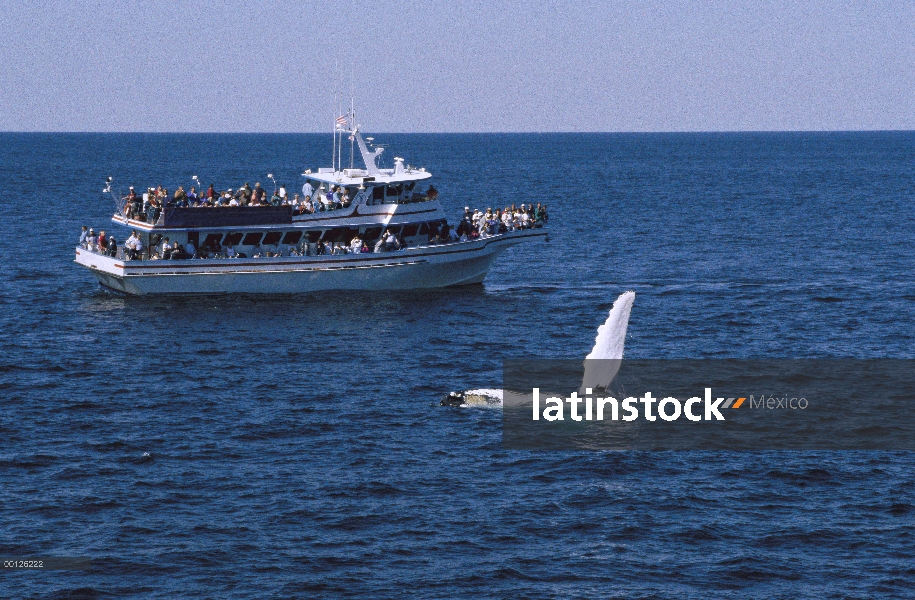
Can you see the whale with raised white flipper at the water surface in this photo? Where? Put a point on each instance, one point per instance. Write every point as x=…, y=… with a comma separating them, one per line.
x=608, y=349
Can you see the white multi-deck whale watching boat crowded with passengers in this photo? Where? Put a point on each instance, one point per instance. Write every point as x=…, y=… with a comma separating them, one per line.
x=353, y=229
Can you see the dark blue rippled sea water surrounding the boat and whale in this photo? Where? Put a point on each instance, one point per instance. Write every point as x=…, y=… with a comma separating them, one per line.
x=295, y=444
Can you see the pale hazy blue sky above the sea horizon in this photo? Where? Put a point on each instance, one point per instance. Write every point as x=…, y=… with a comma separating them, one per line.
x=457, y=66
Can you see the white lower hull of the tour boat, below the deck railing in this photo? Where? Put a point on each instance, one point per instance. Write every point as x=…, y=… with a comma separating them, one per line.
x=460, y=263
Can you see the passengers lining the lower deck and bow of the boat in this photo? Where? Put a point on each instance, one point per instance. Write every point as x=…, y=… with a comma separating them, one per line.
x=473, y=225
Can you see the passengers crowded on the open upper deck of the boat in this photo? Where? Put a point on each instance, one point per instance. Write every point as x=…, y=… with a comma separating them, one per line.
x=150, y=204
